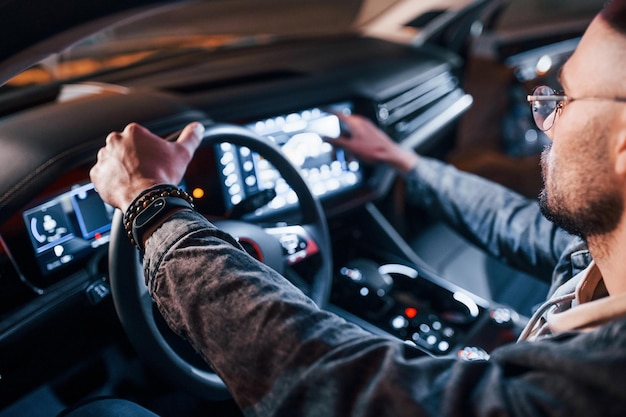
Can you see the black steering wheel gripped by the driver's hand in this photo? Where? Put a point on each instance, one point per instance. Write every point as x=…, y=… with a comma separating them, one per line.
x=145, y=327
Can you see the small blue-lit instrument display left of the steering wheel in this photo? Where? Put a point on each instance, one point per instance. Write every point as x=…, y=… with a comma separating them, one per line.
x=68, y=227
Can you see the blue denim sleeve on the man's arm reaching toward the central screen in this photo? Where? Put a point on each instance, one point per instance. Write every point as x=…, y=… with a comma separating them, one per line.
x=498, y=220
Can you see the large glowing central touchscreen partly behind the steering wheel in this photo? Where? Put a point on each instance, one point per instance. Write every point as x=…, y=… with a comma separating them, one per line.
x=327, y=169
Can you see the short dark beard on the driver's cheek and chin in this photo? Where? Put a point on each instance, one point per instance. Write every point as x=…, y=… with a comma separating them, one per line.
x=594, y=211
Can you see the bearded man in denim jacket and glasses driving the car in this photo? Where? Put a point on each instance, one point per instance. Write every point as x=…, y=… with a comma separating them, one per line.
x=309, y=362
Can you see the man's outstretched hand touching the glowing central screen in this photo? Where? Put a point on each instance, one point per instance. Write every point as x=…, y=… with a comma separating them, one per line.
x=370, y=144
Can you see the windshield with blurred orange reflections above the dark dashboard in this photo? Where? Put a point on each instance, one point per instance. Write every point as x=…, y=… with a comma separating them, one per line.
x=192, y=26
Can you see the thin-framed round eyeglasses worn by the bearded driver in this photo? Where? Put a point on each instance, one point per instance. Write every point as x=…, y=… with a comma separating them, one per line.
x=546, y=103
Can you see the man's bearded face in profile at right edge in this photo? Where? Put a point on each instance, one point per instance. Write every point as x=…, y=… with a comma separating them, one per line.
x=582, y=191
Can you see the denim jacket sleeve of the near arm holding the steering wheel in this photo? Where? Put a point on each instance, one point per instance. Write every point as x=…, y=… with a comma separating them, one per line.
x=280, y=355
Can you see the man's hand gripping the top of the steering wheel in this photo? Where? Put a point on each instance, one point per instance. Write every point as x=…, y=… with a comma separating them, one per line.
x=136, y=159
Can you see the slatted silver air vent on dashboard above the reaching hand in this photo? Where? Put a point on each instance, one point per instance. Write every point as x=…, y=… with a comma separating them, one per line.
x=407, y=111
